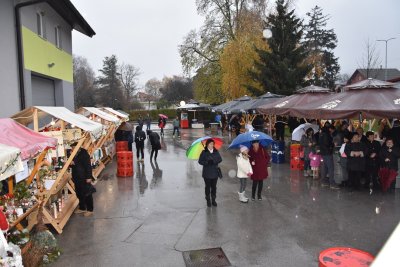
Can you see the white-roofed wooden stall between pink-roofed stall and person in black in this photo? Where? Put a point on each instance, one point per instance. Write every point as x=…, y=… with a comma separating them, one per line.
x=59, y=196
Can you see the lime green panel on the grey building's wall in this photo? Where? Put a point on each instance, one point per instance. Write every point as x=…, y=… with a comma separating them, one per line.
x=39, y=53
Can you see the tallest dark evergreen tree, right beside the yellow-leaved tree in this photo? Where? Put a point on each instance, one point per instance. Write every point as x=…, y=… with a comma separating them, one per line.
x=282, y=68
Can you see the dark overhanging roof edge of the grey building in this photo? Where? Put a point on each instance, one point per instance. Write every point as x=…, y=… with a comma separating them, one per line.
x=68, y=11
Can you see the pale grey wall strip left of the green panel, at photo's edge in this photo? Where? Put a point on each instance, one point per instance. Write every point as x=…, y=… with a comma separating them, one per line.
x=9, y=88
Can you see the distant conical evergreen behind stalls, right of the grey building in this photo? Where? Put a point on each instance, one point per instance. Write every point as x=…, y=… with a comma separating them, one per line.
x=109, y=86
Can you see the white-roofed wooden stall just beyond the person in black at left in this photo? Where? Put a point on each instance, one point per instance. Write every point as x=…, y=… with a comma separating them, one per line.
x=104, y=149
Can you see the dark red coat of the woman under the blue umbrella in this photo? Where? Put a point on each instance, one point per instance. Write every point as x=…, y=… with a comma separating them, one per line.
x=259, y=161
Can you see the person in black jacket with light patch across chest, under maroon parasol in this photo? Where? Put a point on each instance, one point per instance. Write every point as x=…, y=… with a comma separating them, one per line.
x=356, y=153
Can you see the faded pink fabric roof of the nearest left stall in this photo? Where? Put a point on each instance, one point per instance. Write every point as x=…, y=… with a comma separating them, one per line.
x=29, y=142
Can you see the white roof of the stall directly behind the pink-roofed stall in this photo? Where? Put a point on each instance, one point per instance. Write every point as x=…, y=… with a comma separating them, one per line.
x=26, y=116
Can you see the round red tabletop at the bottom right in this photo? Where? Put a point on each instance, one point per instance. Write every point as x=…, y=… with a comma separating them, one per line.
x=344, y=257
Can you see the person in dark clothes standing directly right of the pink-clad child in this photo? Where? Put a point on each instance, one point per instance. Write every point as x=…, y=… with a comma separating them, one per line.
x=326, y=146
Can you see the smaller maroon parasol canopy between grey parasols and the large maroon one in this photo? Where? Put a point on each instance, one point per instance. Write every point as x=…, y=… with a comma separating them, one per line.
x=302, y=97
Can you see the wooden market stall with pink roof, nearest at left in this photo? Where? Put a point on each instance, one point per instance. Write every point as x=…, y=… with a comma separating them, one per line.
x=22, y=153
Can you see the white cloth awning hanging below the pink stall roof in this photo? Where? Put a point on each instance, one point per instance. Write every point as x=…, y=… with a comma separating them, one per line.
x=10, y=161
